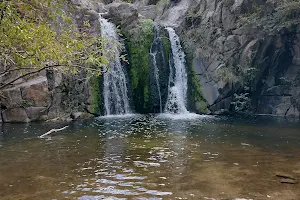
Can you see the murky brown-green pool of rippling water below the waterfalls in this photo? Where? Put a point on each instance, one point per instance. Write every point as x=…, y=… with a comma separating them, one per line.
x=144, y=157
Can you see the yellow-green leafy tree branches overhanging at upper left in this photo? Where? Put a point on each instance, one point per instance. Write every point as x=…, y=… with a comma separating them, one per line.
x=32, y=38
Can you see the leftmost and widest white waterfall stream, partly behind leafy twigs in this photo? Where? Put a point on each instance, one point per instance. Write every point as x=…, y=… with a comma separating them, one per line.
x=116, y=100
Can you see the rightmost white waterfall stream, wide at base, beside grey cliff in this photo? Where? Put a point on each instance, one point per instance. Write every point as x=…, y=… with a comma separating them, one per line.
x=177, y=94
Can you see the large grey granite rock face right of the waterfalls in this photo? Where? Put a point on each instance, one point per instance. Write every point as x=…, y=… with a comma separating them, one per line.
x=236, y=56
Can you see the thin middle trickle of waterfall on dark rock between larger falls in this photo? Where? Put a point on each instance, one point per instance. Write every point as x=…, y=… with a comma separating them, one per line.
x=153, y=53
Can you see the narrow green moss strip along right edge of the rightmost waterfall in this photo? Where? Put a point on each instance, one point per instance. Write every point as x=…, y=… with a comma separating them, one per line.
x=194, y=89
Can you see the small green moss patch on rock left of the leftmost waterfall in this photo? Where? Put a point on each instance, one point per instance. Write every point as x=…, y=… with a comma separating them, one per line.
x=95, y=95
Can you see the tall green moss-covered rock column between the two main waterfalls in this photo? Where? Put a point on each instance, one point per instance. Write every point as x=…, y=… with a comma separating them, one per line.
x=139, y=41
